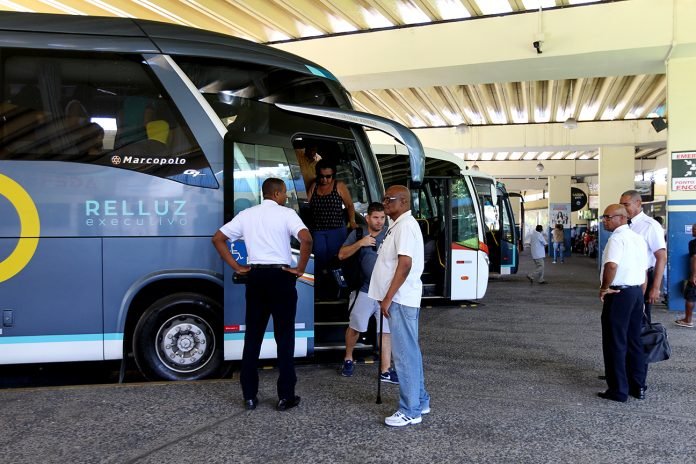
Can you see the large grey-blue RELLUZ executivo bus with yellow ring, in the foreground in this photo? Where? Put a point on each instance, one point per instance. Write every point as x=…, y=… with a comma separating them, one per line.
x=124, y=145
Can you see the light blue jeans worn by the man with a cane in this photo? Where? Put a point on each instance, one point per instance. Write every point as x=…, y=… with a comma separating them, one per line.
x=408, y=361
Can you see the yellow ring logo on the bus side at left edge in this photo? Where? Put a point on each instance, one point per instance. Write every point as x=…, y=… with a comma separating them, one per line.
x=29, y=228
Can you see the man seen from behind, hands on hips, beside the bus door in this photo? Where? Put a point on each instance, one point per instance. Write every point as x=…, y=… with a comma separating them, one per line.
x=270, y=289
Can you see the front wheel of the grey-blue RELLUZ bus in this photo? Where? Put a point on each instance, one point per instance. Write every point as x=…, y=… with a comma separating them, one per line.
x=179, y=337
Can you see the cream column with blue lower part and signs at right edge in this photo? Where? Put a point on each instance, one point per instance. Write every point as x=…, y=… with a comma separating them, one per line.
x=681, y=178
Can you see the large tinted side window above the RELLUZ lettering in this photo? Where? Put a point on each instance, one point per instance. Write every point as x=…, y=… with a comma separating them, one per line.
x=103, y=109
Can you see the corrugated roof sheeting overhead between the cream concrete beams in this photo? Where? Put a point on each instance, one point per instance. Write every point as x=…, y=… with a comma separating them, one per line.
x=584, y=99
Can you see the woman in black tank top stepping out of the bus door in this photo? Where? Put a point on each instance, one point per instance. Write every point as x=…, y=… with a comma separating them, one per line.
x=327, y=197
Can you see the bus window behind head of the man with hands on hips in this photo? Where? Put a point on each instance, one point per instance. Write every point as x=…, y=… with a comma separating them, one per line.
x=252, y=165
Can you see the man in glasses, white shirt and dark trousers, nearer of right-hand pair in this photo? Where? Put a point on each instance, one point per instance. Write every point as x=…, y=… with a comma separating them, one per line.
x=624, y=262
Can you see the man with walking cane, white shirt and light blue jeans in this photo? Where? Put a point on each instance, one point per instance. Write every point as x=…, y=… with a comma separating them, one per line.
x=396, y=285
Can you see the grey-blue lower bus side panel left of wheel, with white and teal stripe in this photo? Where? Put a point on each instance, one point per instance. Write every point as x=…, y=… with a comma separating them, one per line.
x=55, y=302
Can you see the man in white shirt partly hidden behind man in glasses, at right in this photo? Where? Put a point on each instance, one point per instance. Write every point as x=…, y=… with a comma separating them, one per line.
x=654, y=235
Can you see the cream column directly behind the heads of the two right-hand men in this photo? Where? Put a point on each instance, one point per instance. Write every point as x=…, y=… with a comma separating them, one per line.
x=616, y=175
